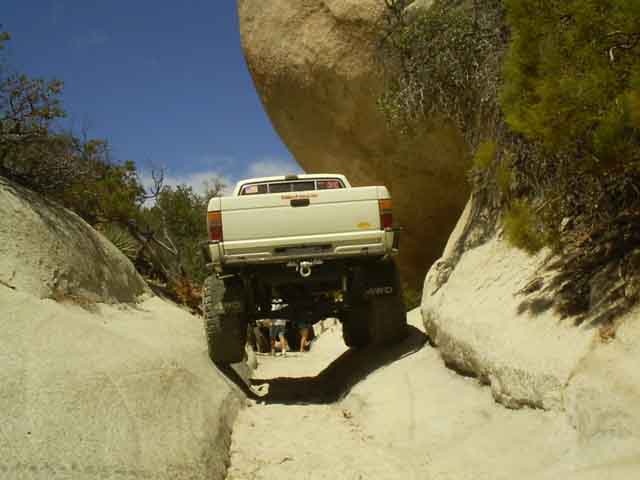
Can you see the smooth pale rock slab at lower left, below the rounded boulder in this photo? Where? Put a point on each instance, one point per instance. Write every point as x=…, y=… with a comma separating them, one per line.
x=121, y=392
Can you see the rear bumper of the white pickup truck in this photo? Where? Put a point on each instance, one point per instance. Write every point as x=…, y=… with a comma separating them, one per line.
x=287, y=249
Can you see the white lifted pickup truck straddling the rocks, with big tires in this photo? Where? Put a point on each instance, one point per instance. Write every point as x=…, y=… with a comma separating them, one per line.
x=311, y=242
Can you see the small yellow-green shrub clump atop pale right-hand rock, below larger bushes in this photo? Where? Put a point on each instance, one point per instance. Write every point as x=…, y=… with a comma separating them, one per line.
x=522, y=227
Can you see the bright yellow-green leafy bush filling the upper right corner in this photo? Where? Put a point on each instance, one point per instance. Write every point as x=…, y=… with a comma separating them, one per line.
x=571, y=76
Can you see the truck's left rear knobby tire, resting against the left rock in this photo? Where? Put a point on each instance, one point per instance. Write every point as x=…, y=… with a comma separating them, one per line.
x=225, y=319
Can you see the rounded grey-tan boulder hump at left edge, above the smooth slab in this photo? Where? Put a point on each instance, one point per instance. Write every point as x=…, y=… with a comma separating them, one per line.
x=51, y=252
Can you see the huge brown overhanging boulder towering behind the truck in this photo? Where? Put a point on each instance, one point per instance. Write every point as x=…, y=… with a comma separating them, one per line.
x=314, y=66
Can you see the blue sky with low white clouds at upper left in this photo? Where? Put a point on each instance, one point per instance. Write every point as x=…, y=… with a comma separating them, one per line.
x=164, y=82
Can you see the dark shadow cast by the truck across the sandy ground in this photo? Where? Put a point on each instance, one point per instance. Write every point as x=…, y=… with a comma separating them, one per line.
x=340, y=376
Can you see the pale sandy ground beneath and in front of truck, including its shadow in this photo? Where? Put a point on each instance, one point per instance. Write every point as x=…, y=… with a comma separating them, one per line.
x=398, y=413
